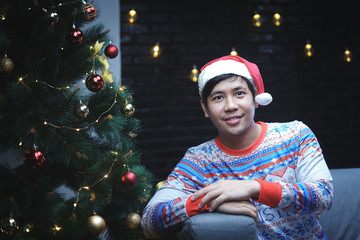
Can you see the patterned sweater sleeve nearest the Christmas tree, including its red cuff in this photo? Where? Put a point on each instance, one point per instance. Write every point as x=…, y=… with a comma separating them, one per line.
x=171, y=204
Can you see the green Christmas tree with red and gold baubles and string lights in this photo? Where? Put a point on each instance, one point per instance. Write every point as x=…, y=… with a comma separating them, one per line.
x=66, y=124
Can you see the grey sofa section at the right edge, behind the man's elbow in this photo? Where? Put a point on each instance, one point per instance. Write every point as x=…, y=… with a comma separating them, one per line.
x=342, y=221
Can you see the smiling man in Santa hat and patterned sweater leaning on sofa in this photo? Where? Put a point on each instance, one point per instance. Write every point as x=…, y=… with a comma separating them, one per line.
x=273, y=172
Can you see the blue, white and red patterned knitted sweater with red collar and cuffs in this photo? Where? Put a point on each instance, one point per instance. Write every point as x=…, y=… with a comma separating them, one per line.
x=295, y=183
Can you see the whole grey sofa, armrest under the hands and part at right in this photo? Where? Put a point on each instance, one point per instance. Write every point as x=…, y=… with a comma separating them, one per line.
x=341, y=222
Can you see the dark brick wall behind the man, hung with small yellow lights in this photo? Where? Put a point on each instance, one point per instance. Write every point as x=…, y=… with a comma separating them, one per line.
x=321, y=91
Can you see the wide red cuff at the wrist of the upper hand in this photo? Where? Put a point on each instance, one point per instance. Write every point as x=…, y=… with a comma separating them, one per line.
x=270, y=193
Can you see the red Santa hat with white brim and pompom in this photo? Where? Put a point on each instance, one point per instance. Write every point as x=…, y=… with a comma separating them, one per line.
x=238, y=66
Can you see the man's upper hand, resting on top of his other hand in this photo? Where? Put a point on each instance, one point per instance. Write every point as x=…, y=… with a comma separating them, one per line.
x=227, y=191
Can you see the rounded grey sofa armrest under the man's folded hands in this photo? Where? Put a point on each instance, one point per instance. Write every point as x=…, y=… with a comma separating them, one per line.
x=211, y=226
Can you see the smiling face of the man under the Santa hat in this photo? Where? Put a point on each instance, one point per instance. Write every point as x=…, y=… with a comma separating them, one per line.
x=231, y=108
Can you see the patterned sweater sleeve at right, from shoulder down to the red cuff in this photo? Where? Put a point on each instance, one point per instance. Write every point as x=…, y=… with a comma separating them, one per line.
x=312, y=192
